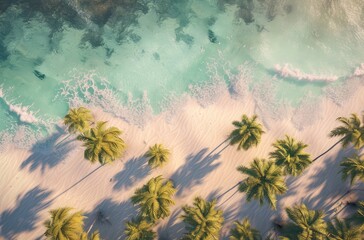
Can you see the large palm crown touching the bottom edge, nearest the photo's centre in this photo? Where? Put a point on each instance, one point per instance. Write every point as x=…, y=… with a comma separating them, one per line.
x=203, y=220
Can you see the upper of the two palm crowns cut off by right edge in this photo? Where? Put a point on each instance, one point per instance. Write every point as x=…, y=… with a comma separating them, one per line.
x=352, y=131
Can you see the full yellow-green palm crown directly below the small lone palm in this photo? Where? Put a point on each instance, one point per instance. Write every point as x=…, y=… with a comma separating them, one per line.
x=154, y=198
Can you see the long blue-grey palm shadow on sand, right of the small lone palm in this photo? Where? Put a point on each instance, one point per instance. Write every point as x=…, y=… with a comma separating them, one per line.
x=194, y=170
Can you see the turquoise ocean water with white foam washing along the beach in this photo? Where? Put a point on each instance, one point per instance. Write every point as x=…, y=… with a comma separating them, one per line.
x=136, y=57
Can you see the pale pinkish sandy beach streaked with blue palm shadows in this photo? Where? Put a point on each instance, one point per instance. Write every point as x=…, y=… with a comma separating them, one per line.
x=36, y=180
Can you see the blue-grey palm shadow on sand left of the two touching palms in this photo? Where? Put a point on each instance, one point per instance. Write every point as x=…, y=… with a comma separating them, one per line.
x=46, y=154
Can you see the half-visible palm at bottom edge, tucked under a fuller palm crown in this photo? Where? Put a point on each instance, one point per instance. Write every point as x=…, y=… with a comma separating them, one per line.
x=139, y=230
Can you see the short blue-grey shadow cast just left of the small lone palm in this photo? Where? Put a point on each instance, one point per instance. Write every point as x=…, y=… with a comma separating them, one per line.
x=134, y=170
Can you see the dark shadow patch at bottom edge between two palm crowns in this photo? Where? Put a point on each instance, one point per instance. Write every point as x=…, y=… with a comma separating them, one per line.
x=173, y=229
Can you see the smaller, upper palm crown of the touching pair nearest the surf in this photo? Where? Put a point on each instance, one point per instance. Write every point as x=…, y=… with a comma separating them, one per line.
x=78, y=120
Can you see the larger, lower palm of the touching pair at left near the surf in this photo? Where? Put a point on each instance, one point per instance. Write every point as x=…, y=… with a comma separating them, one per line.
x=102, y=144
